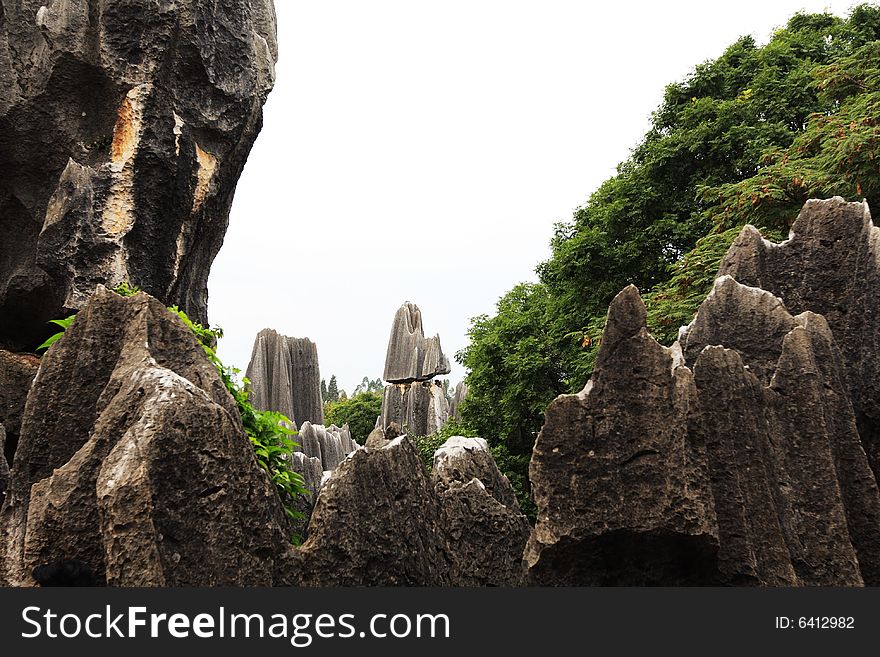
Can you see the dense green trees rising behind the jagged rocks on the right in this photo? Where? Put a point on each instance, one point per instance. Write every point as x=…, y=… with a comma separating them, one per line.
x=746, y=138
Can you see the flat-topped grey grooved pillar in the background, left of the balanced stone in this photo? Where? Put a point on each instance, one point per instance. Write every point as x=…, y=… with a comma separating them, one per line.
x=285, y=377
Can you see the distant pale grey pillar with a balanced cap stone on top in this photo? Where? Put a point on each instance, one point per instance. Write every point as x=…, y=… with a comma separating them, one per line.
x=413, y=399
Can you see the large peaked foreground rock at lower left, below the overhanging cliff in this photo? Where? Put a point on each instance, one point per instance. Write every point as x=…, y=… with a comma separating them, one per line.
x=141, y=471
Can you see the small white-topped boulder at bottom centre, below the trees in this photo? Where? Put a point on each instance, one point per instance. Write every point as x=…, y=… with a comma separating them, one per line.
x=486, y=531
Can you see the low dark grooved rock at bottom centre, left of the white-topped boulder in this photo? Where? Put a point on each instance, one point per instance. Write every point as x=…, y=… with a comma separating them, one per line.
x=377, y=522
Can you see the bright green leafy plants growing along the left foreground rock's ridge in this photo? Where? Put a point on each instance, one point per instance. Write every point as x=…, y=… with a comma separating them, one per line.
x=269, y=432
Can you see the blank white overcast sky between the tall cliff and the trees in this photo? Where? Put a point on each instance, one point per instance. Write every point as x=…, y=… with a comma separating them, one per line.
x=422, y=151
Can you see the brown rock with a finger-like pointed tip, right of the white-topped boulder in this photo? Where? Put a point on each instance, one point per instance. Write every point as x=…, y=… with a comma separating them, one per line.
x=621, y=484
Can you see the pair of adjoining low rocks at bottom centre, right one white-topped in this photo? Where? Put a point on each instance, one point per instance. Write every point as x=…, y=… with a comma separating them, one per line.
x=379, y=520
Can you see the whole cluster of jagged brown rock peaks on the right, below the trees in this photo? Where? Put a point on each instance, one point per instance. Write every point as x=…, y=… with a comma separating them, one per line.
x=746, y=453
